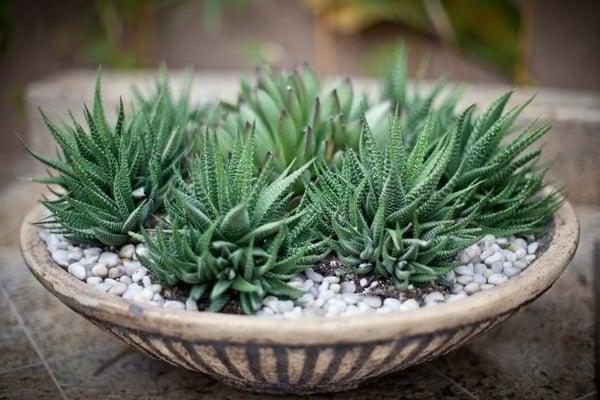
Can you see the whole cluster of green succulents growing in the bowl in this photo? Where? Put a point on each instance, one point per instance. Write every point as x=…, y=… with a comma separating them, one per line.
x=236, y=201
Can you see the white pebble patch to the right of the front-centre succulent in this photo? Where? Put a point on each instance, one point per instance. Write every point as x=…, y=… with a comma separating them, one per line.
x=490, y=262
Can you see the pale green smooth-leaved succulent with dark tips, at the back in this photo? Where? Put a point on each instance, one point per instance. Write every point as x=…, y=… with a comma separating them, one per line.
x=297, y=118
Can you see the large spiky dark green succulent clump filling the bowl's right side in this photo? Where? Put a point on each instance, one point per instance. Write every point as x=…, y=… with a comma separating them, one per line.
x=405, y=213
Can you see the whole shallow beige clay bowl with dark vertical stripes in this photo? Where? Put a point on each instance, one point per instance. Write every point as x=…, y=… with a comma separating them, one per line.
x=307, y=356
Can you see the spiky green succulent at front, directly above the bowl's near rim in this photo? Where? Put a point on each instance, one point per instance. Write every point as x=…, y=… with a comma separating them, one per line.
x=228, y=231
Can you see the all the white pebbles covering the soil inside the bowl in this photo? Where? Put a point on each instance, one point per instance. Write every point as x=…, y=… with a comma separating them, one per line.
x=484, y=265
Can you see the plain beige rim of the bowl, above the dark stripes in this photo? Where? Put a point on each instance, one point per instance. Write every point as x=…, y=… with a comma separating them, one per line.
x=210, y=327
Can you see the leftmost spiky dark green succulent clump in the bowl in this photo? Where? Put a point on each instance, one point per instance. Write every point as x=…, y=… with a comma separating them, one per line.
x=110, y=179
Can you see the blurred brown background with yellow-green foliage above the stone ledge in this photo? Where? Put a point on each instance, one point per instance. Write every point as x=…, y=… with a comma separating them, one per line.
x=547, y=43
